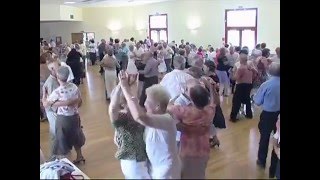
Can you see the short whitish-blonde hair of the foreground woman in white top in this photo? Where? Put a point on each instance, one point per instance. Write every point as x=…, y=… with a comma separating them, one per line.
x=159, y=94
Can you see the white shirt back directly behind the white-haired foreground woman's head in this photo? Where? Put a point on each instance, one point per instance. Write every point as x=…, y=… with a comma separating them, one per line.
x=175, y=81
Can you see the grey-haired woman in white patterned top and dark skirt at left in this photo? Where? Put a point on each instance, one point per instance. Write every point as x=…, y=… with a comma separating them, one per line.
x=68, y=132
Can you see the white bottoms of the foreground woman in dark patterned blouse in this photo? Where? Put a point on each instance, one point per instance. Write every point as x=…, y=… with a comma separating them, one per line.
x=132, y=169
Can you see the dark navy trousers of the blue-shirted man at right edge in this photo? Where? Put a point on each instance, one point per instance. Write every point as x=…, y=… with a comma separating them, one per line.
x=266, y=125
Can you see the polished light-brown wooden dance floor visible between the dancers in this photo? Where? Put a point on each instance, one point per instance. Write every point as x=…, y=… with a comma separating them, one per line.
x=236, y=157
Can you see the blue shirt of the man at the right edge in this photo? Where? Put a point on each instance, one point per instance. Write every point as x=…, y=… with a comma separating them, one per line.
x=268, y=95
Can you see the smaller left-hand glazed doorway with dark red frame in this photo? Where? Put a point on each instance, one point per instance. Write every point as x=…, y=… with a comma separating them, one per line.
x=158, y=27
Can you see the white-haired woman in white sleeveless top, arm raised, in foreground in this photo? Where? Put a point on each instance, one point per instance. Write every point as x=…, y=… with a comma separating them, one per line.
x=160, y=129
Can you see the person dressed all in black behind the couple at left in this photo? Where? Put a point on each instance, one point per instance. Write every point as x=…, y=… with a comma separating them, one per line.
x=73, y=60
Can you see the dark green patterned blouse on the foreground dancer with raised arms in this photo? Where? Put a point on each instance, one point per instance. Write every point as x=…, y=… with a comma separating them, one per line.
x=129, y=139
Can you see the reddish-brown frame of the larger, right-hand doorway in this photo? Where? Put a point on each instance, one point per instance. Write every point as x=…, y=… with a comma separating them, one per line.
x=254, y=28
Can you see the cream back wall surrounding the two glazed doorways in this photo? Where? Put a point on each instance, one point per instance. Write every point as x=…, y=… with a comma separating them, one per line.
x=210, y=14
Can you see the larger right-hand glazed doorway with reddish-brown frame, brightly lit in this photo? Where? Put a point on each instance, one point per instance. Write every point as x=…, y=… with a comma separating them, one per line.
x=241, y=27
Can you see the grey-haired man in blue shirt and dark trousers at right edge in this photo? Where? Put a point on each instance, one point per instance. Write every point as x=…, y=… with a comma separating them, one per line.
x=268, y=96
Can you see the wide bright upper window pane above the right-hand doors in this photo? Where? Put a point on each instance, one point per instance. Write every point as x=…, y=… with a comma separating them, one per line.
x=241, y=18
